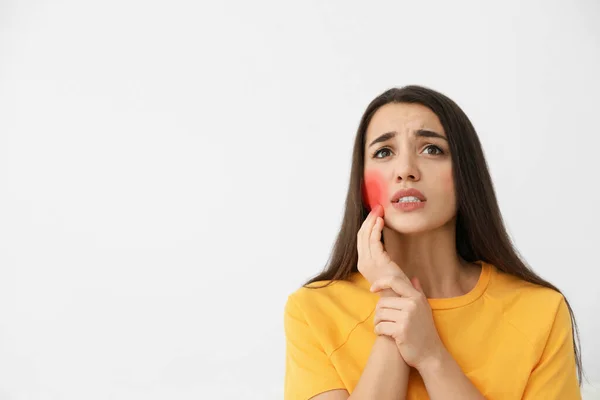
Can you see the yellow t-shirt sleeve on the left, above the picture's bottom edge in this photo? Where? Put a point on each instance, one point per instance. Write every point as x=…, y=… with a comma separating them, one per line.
x=308, y=369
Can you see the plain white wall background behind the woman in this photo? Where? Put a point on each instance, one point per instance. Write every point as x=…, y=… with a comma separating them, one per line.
x=171, y=171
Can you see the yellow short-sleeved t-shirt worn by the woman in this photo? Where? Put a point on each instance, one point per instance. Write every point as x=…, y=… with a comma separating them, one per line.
x=511, y=338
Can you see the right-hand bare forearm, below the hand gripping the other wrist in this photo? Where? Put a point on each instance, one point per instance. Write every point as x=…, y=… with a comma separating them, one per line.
x=445, y=380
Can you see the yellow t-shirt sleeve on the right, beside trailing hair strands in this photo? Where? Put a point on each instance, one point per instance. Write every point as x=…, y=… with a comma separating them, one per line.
x=555, y=375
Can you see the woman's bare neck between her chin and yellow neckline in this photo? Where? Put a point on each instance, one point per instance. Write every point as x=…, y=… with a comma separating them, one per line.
x=432, y=258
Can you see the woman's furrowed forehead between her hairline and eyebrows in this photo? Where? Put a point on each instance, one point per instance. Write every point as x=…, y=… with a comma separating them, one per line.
x=403, y=118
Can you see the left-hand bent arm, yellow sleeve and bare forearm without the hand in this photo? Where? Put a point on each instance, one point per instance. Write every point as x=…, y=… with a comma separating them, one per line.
x=311, y=375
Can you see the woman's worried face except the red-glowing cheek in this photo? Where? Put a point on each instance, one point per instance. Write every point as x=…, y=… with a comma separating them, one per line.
x=411, y=151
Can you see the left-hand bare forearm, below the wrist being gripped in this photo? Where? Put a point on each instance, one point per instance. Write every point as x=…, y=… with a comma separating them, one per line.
x=385, y=377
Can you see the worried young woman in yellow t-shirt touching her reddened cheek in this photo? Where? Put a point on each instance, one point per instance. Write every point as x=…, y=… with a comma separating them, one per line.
x=424, y=295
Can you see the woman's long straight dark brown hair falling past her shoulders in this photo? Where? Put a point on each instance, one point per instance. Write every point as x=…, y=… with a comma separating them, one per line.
x=480, y=231
